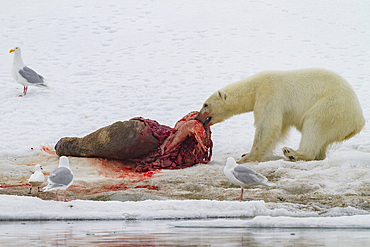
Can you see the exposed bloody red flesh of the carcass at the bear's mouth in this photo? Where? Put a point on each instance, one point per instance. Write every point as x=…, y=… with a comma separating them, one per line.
x=188, y=143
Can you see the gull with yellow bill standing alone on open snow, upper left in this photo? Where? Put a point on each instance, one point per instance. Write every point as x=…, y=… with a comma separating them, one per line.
x=23, y=74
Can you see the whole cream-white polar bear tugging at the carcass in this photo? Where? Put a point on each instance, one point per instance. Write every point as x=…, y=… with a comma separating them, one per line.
x=319, y=103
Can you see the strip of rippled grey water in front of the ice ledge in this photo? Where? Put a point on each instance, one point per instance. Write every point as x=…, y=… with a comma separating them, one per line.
x=165, y=233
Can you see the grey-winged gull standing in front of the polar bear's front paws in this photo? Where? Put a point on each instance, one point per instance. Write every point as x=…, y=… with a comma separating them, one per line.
x=243, y=176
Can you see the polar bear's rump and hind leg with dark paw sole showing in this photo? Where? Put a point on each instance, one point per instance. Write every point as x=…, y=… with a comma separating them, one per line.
x=328, y=121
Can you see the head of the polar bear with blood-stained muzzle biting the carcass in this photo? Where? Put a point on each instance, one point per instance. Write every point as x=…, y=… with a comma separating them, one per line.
x=215, y=109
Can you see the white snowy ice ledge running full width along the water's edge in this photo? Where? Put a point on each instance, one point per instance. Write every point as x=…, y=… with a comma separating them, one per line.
x=30, y=208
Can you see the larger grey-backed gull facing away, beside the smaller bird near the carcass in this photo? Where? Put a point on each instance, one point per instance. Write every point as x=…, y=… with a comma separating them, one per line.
x=61, y=178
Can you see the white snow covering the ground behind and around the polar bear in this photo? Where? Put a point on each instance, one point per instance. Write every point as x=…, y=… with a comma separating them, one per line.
x=111, y=61
